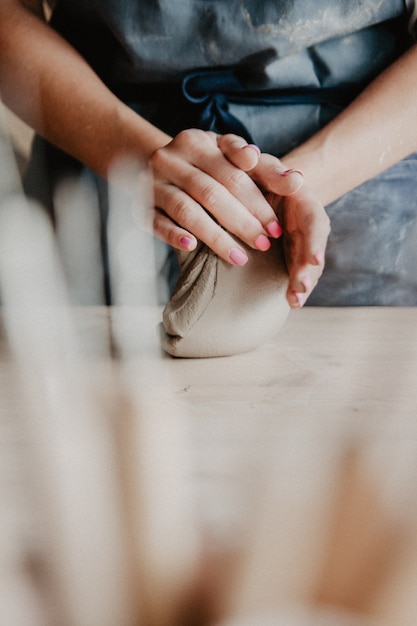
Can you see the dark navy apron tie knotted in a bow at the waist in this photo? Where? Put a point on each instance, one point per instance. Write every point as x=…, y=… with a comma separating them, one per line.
x=201, y=97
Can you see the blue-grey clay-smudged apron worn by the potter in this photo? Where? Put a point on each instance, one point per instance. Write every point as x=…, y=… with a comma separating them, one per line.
x=274, y=72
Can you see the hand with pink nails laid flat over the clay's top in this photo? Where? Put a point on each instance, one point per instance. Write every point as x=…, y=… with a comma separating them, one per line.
x=200, y=193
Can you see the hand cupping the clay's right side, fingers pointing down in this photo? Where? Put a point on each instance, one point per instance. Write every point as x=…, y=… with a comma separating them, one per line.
x=305, y=223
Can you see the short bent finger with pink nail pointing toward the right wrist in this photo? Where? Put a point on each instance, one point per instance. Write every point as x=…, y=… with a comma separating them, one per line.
x=272, y=175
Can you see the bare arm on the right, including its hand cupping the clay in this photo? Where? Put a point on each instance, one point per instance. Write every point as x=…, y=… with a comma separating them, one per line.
x=377, y=130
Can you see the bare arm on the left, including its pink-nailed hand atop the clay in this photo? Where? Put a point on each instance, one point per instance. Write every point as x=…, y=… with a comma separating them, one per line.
x=198, y=192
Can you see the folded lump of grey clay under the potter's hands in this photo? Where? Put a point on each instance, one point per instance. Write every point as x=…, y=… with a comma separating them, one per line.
x=218, y=309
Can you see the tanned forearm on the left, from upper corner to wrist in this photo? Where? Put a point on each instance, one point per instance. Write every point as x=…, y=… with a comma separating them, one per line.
x=50, y=86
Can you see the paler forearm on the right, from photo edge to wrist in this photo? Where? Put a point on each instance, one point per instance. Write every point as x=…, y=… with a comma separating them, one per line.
x=374, y=132
